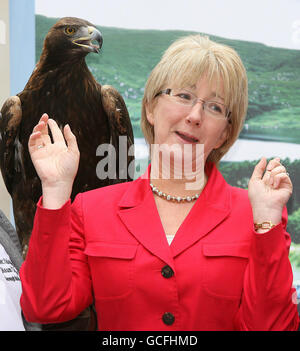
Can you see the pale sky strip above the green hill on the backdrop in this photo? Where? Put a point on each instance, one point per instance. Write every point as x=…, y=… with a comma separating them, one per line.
x=271, y=22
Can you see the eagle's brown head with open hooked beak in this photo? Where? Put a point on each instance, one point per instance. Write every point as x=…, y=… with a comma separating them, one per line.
x=72, y=37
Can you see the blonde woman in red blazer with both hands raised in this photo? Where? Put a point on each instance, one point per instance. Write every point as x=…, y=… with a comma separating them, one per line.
x=217, y=272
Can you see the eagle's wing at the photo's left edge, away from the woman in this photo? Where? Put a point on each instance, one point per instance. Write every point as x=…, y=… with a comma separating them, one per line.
x=10, y=119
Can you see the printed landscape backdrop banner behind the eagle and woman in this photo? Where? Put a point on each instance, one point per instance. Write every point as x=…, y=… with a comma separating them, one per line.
x=272, y=126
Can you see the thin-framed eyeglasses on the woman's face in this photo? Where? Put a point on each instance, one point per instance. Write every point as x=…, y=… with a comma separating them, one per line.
x=186, y=98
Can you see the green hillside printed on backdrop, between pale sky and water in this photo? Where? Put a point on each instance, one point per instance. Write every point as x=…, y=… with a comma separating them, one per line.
x=128, y=56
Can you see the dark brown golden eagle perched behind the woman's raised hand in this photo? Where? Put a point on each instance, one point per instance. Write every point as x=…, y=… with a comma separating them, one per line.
x=62, y=86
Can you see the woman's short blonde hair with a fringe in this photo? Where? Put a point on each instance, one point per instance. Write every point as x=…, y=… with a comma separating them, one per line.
x=183, y=64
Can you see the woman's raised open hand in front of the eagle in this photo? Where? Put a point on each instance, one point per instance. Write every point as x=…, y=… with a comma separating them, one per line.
x=56, y=162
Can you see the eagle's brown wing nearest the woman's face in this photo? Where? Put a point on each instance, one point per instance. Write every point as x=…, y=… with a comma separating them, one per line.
x=119, y=124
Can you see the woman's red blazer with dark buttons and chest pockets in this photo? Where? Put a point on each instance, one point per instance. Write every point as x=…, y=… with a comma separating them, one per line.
x=109, y=245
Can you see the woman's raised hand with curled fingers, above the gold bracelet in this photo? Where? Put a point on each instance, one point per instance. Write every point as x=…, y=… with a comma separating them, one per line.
x=269, y=190
